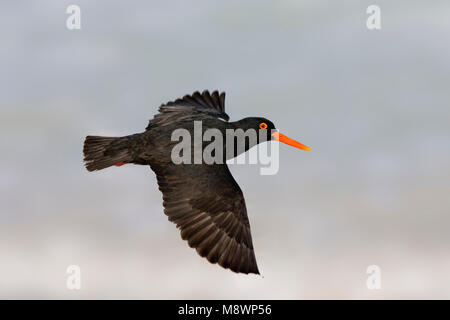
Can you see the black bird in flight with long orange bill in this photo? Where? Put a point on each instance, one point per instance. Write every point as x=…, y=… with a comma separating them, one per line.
x=203, y=200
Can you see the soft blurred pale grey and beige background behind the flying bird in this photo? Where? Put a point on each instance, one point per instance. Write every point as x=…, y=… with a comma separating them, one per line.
x=372, y=105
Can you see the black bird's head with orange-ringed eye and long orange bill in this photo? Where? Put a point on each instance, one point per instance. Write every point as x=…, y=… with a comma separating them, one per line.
x=270, y=132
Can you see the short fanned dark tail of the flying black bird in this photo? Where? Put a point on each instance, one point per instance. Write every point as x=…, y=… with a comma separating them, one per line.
x=103, y=152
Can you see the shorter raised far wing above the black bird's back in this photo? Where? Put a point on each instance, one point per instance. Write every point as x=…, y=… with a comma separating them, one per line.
x=189, y=107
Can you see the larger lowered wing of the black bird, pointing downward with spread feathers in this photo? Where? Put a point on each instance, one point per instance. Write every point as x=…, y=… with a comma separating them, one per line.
x=207, y=205
